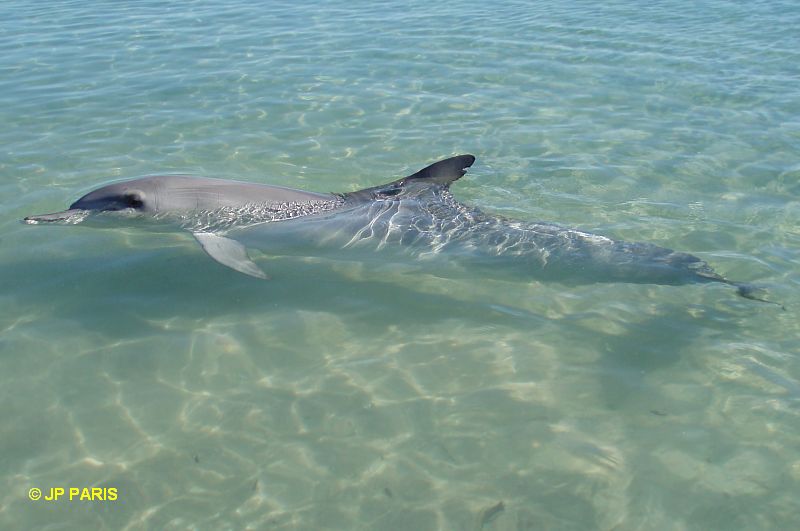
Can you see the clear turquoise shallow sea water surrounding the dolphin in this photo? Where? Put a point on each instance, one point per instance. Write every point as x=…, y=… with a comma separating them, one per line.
x=344, y=396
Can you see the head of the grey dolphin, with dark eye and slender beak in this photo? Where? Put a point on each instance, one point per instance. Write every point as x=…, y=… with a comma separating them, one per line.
x=138, y=196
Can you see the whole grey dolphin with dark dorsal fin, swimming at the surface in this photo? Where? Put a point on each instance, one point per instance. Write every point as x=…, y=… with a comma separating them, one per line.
x=414, y=218
